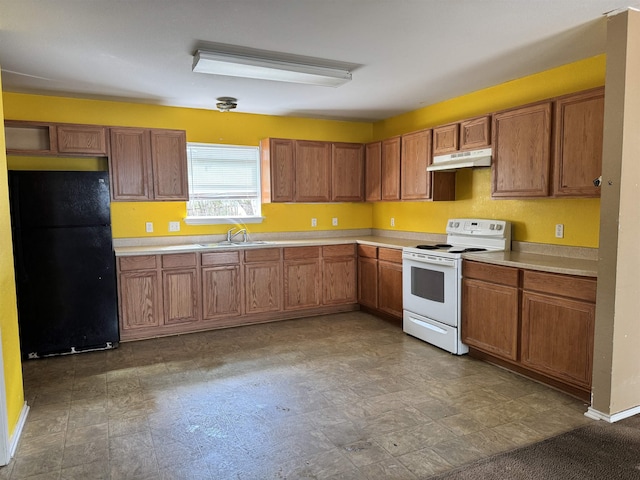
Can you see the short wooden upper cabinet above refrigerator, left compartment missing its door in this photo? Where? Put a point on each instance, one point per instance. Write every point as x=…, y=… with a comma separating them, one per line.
x=35, y=138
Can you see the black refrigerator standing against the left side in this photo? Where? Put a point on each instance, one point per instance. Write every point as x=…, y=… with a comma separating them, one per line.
x=64, y=262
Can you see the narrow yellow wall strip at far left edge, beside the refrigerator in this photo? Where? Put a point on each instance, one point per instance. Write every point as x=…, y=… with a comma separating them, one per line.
x=8, y=308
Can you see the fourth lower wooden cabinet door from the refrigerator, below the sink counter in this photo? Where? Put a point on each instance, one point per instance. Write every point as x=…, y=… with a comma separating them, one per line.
x=263, y=280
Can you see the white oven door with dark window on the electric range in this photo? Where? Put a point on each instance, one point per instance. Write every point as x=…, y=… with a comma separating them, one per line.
x=431, y=288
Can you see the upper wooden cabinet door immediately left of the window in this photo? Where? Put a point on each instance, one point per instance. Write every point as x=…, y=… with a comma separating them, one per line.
x=169, y=158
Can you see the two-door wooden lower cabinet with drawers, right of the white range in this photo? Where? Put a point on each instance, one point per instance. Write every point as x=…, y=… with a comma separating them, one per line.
x=537, y=323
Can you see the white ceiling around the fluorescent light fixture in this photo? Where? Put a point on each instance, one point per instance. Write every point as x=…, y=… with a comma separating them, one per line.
x=408, y=53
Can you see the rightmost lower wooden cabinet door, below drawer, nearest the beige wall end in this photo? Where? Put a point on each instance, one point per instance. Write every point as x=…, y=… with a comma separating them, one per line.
x=557, y=337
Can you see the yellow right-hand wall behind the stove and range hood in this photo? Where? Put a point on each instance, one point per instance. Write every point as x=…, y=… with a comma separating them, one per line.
x=534, y=220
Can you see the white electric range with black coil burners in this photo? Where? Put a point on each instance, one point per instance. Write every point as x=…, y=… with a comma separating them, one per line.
x=432, y=279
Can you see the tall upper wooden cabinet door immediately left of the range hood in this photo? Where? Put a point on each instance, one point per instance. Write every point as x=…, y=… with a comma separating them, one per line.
x=416, y=155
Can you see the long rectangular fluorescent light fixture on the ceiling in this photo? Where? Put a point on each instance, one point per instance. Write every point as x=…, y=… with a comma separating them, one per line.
x=218, y=63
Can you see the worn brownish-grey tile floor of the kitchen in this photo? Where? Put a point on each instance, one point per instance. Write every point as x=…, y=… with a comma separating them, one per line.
x=347, y=396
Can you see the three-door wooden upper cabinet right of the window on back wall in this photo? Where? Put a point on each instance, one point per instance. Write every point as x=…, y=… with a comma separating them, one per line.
x=311, y=171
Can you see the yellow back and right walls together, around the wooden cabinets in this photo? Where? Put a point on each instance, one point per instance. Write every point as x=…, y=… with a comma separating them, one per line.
x=534, y=219
